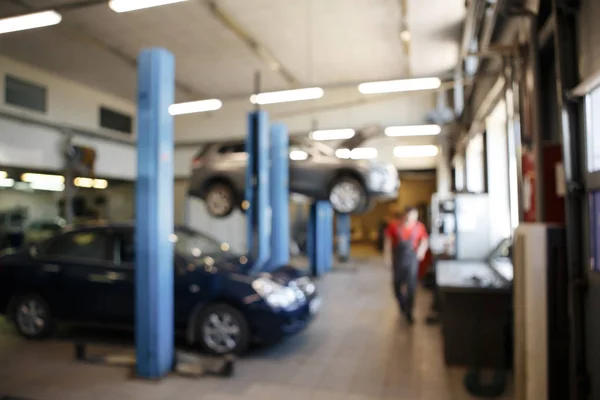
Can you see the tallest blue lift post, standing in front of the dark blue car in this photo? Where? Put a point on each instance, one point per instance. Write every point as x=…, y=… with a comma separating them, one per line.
x=154, y=322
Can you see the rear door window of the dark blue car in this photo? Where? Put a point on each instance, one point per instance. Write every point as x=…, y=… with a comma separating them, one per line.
x=86, y=245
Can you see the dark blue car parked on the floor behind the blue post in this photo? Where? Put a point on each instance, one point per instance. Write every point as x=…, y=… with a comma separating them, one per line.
x=86, y=275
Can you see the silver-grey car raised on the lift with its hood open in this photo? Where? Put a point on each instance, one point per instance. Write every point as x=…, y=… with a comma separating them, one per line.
x=351, y=186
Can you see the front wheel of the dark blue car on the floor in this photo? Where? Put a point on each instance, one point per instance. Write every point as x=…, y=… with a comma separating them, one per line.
x=222, y=329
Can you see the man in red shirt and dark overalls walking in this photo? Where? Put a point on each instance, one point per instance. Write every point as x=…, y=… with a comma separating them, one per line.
x=406, y=227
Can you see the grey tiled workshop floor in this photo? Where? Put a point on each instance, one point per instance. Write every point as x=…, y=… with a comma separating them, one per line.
x=358, y=349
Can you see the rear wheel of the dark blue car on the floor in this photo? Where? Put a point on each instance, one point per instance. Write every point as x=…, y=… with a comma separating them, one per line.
x=32, y=316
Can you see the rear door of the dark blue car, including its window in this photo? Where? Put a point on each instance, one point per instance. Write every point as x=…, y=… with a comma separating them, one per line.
x=80, y=259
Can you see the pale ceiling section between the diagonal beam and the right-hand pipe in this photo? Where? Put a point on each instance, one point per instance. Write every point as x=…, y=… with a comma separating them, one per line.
x=327, y=42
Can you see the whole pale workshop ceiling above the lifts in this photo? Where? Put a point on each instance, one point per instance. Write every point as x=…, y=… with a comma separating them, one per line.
x=320, y=42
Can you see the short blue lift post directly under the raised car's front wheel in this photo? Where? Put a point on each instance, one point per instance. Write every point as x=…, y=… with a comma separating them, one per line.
x=320, y=235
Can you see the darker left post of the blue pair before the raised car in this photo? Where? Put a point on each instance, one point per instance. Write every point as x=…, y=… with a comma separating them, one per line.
x=257, y=188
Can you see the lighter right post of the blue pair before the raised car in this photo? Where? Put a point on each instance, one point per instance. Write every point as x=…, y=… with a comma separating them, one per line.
x=280, y=198
